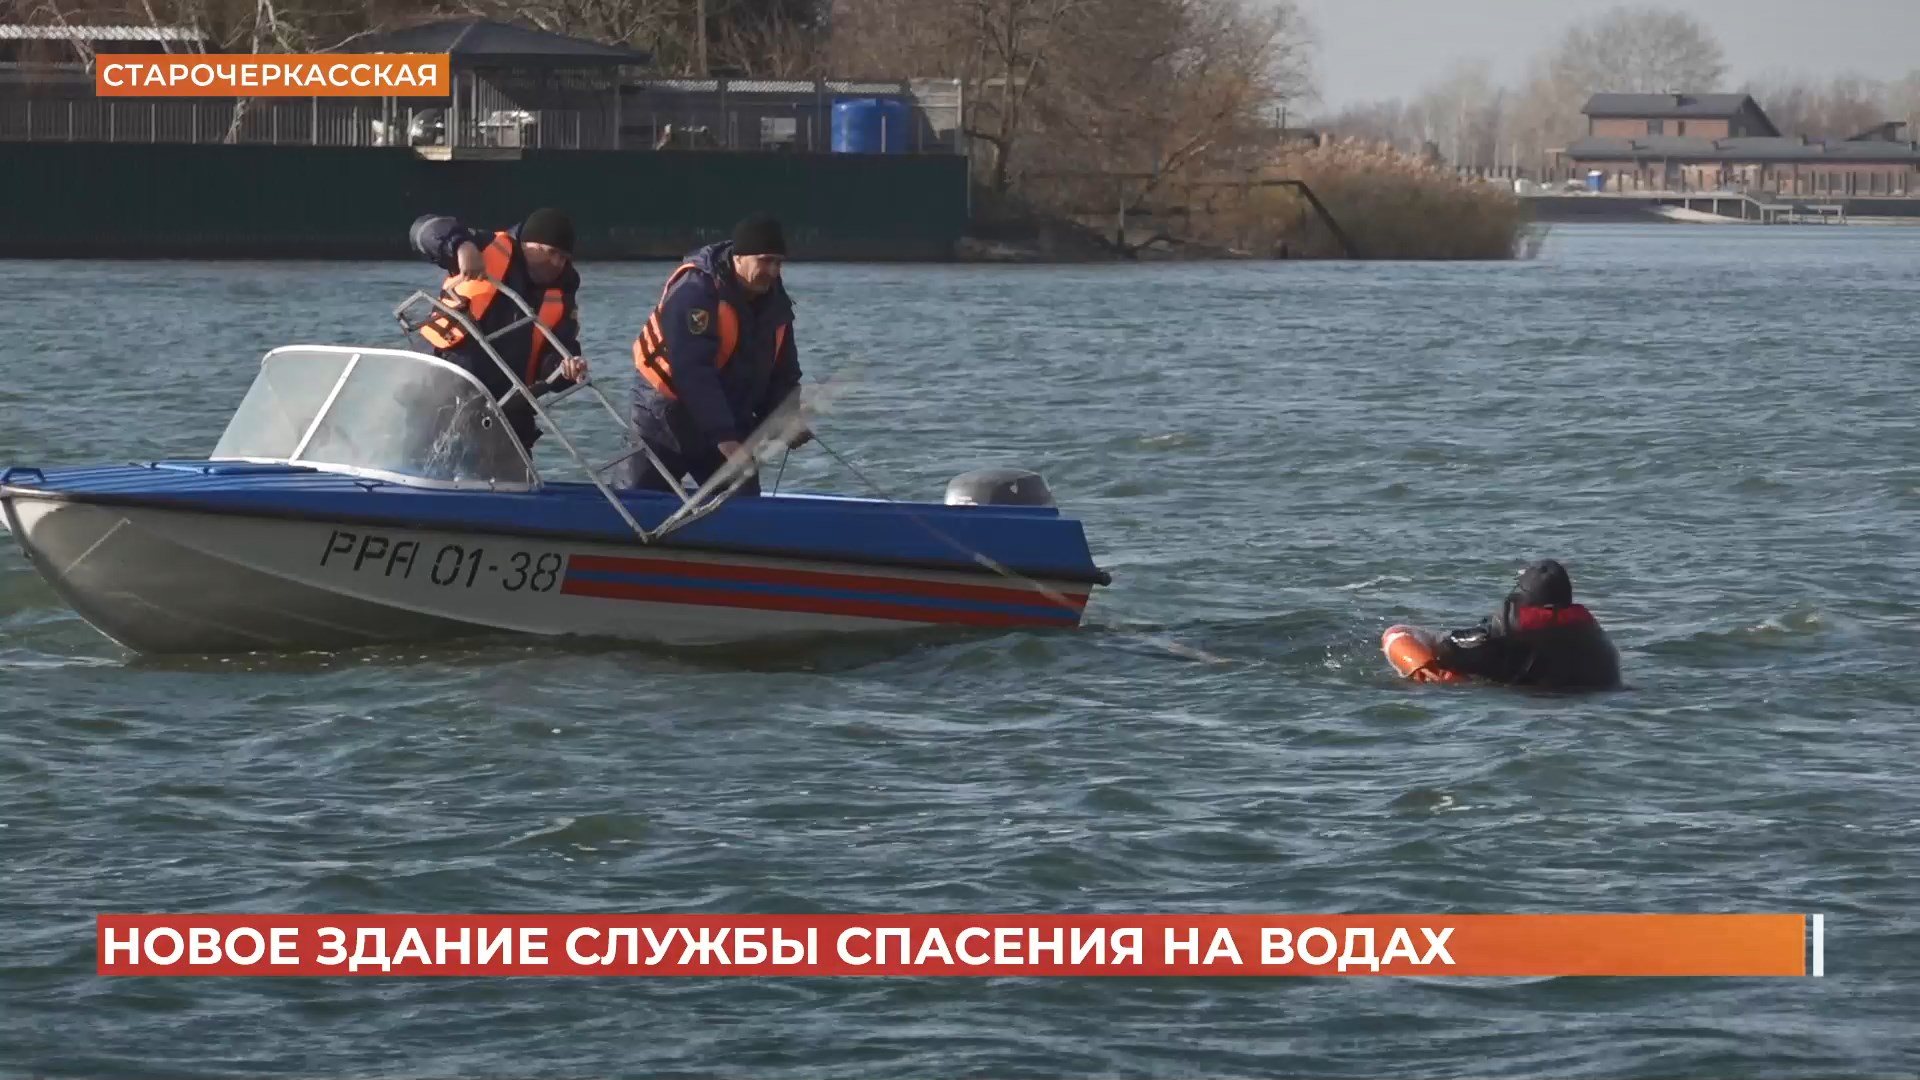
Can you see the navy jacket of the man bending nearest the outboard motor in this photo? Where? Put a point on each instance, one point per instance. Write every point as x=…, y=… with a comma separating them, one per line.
x=717, y=405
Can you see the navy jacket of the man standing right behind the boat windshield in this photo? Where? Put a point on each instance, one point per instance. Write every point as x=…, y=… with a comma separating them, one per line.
x=439, y=239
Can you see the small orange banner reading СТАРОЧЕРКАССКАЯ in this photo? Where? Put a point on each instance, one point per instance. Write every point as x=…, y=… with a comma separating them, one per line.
x=274, y=76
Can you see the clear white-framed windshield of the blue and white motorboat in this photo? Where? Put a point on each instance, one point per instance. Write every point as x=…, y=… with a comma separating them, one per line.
x=385, y=414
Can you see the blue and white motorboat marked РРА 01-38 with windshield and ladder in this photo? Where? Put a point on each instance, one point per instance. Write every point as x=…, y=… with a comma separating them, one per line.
x=379, y=497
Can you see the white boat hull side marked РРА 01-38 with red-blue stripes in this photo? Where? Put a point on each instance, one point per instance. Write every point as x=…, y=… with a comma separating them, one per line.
x=180, y=581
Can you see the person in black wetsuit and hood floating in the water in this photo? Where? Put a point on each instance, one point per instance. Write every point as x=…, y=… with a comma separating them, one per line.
x=1539, y=639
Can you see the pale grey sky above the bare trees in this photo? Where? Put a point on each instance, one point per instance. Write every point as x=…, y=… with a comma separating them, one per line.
x=1395, y=49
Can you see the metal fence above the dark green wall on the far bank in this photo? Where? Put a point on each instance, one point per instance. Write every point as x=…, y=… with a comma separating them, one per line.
x=498, y=112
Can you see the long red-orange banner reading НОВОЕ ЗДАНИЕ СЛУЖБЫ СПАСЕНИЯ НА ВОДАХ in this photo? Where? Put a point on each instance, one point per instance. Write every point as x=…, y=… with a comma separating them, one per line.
x=963, y=945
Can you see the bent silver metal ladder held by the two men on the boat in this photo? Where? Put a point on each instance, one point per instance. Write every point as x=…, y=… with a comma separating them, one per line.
x=692, y=506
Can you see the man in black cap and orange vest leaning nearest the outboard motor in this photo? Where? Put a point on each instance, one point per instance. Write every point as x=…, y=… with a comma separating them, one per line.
x=715, y=358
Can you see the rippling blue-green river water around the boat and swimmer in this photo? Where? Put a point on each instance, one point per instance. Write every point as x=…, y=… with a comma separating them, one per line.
x=1712, y=426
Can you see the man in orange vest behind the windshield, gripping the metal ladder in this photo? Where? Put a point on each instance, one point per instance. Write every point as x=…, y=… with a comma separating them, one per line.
x=535, y=260
